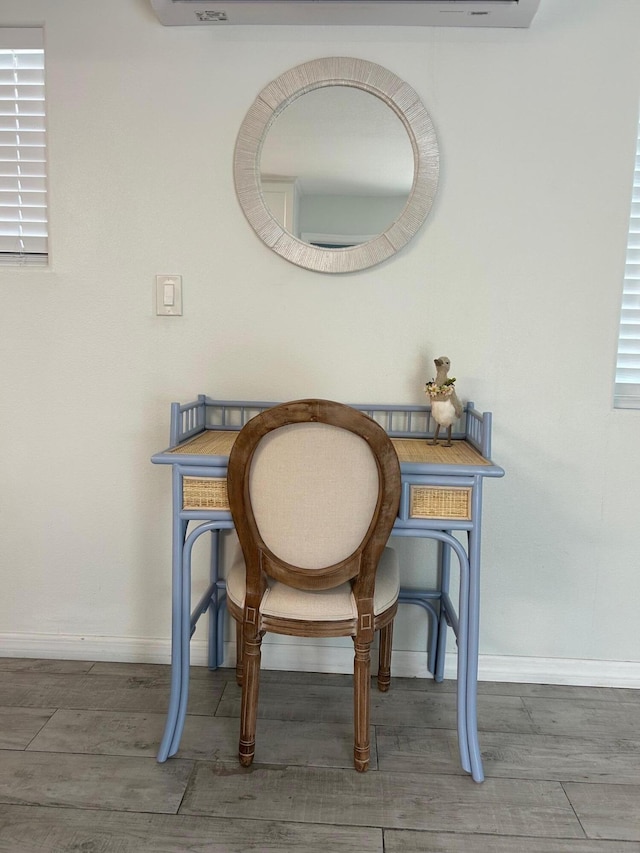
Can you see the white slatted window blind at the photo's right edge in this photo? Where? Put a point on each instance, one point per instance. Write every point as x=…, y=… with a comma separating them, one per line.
x=627, y=394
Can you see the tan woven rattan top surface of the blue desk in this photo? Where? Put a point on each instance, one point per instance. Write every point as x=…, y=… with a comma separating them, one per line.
x=419, y=450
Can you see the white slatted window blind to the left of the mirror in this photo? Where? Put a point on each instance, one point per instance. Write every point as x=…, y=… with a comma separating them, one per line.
x=23, y=184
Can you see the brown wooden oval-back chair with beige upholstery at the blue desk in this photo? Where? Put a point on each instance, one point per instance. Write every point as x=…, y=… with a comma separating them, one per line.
x=314, y=488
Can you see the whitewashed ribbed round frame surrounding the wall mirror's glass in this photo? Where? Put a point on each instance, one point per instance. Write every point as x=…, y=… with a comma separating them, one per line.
x=337, y=71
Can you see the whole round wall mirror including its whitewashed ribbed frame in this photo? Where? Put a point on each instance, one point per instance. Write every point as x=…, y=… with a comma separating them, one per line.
x=336, y=164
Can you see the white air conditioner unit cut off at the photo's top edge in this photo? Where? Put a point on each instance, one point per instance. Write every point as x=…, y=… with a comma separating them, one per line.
x=359, y=13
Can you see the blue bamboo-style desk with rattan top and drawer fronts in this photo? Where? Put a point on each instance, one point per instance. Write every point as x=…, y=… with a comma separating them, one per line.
x=441, y=496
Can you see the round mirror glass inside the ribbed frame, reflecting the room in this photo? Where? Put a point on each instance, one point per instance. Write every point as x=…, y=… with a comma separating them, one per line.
x=336, y=167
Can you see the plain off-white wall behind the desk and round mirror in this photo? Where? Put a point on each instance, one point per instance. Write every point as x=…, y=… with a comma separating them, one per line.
x=516, y=276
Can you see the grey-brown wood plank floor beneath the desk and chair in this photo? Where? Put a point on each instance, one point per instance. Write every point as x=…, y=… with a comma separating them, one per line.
x=78, y=773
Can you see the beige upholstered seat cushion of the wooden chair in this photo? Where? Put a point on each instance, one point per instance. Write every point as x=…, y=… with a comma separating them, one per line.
x=327, y=605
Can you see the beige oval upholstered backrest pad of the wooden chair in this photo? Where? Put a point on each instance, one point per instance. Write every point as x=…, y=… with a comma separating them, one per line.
x=314, y=489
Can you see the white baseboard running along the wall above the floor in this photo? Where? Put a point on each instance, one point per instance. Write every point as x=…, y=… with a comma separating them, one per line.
x=289, y=656
